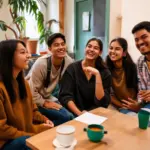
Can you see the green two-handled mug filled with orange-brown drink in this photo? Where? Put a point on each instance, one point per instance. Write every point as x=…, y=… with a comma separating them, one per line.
x=95, y=132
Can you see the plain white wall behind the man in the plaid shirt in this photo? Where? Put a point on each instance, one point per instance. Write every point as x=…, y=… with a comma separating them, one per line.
x=133, y=12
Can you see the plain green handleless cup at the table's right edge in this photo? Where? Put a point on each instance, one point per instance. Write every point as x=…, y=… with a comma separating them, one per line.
x=143, y=117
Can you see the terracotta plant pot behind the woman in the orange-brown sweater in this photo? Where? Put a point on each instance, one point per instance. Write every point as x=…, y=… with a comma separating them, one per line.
x=32, y=45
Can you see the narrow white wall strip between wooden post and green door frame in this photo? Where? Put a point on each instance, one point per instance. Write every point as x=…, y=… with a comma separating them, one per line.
x=69, y=24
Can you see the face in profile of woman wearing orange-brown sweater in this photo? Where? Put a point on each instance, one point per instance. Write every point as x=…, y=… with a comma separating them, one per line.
x=21, y=58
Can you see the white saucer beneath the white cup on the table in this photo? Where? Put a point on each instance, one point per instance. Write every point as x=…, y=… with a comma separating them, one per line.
x=60, y=147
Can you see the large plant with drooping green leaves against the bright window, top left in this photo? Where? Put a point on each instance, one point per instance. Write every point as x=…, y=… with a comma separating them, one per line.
x=17, y=9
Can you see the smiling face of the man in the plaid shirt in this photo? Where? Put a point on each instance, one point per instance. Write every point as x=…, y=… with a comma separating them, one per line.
x=142, y=41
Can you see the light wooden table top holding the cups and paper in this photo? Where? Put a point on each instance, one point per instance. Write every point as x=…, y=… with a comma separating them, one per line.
x=123, y=134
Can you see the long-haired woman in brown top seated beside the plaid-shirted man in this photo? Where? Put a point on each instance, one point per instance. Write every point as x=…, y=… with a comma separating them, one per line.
x=124, y=76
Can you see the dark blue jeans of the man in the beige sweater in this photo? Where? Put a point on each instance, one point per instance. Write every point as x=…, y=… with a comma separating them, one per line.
x=57, y=116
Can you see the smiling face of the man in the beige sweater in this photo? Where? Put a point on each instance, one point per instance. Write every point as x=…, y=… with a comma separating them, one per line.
x=58, y=48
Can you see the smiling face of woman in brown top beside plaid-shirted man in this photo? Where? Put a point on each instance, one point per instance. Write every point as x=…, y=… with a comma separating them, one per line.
x=115, y=51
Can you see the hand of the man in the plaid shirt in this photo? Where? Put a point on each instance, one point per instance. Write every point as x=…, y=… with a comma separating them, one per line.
x=144, y=95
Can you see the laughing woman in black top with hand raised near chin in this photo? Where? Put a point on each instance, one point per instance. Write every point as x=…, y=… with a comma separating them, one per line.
x=86, y=83
